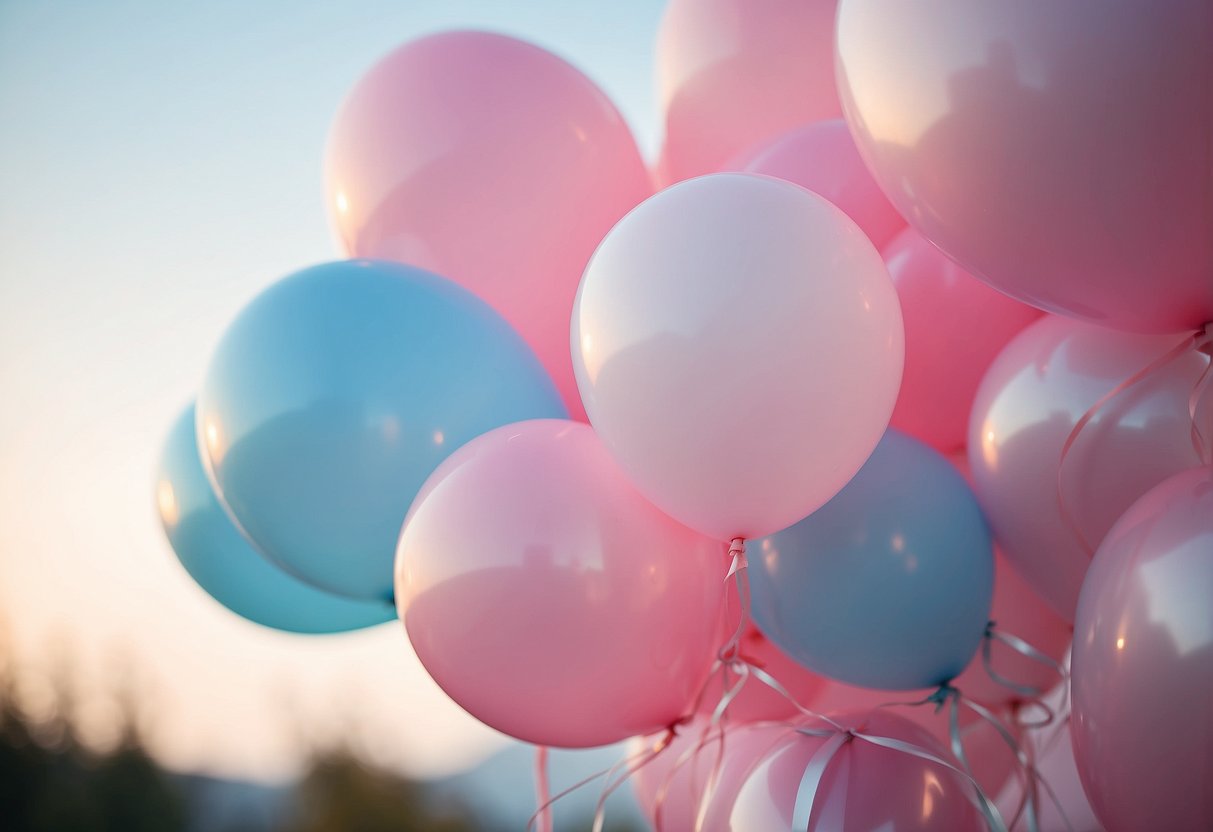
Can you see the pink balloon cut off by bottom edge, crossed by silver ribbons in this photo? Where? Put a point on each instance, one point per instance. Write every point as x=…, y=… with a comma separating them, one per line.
x=865, y=788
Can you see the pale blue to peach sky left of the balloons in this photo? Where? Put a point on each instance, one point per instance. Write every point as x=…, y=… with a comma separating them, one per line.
x=161, y=163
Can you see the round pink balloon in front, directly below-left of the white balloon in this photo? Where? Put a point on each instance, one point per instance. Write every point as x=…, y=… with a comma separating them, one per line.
x=549, y=599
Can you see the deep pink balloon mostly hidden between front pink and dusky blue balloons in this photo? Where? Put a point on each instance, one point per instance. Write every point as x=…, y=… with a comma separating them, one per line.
x=759, y=702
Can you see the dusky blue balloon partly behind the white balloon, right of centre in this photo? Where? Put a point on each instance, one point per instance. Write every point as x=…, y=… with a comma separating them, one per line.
x=890, y=584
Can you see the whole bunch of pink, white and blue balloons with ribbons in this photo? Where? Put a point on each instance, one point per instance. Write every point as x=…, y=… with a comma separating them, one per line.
x=738, y=559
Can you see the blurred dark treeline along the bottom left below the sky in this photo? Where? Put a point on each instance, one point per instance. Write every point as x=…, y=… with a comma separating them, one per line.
x=53, y=780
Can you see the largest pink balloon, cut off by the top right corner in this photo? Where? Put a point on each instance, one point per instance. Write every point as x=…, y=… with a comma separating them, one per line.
x=1060, y=152
